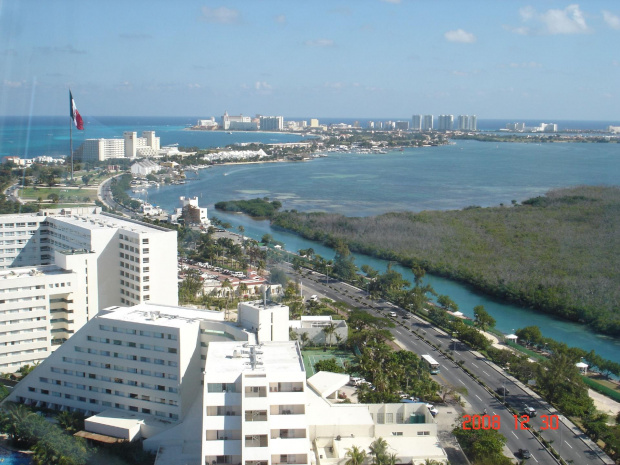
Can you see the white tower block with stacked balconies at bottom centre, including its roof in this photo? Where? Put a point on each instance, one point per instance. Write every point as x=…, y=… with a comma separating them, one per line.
x=254, y=404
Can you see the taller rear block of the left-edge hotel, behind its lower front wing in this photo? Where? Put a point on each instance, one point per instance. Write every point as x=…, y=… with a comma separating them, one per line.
x=123, y=252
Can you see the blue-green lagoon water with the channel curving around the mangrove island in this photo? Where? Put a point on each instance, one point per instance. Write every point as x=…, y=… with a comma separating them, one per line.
x=448, y=177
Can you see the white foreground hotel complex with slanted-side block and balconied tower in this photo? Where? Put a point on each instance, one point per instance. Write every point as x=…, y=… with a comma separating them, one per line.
x=202, y=391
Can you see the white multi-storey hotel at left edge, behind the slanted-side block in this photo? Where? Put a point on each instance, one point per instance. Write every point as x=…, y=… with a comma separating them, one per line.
x=59, y=268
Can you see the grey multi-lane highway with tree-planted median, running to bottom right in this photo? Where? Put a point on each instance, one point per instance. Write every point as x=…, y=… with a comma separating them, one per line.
x=415, y=334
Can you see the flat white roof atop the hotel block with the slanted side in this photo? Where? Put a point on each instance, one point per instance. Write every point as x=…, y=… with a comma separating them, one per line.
x=160, y=315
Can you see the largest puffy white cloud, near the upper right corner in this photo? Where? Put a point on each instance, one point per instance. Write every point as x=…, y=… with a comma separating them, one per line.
x=570, y=20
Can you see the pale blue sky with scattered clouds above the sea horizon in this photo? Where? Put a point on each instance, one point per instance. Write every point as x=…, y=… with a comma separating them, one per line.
x=365, y=58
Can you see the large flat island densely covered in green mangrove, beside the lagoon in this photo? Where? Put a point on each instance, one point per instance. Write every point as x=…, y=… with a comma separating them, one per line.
x=559, y=252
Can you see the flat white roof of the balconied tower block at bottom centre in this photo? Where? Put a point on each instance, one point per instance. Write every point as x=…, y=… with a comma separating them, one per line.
x=275, y=357
